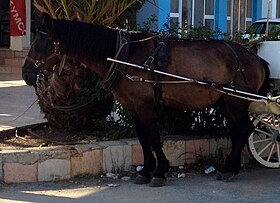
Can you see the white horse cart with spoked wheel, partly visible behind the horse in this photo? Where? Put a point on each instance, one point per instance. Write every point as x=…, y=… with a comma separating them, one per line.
x=264, y=142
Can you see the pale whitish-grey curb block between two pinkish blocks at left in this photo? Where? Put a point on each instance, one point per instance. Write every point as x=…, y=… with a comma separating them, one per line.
x=54, y=169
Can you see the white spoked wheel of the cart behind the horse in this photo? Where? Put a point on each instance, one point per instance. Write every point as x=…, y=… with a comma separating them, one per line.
x=264, y=142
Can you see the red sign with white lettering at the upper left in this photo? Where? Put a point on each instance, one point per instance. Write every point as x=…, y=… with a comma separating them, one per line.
x=17, y=17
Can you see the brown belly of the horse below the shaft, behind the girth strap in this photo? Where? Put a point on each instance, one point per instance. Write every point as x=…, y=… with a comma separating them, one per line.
x=189, y=96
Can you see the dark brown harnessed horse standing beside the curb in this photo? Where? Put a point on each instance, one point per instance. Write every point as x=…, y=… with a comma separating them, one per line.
x=221, y=62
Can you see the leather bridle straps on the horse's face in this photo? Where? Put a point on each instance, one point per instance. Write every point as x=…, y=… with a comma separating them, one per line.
x=38, y=63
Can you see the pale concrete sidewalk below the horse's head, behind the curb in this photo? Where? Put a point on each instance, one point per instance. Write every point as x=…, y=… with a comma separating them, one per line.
x=18, y=105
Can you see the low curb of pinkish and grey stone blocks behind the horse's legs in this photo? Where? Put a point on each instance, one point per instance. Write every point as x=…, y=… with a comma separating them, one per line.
x=64, y=162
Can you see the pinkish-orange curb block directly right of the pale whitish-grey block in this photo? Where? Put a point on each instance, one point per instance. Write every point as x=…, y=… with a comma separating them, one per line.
x=89, y=163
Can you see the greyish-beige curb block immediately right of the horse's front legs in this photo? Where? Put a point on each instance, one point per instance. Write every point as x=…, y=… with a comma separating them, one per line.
x=175, y=151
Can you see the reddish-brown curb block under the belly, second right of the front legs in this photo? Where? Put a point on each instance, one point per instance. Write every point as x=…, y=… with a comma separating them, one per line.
x=196, y=148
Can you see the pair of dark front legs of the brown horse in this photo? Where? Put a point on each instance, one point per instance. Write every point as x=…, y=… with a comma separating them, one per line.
x=151, y=142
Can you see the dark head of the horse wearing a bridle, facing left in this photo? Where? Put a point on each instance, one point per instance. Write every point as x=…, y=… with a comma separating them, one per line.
x=44, y=55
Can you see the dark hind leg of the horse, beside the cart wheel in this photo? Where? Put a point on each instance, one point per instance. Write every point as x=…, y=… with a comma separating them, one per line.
x=240, y=128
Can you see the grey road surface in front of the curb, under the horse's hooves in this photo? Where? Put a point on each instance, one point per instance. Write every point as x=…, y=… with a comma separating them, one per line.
x=257, y=185
